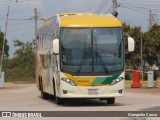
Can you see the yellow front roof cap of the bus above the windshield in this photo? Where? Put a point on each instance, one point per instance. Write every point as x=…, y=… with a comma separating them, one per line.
x=88, y=20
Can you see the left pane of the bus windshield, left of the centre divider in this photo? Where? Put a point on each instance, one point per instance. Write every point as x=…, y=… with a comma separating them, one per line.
x=76, y=49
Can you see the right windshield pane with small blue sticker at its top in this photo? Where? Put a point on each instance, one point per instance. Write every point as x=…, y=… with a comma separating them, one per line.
x=108, y=49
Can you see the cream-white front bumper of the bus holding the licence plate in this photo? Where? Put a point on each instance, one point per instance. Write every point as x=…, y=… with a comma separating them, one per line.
x=92, y=91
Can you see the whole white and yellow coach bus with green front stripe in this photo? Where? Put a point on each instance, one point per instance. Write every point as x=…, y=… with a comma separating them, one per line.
x=81, y=55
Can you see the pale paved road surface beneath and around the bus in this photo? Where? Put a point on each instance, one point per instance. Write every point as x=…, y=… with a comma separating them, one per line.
x=26, y=97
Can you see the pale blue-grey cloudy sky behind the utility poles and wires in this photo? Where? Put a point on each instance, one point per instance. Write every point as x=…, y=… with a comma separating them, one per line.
x=21, y=26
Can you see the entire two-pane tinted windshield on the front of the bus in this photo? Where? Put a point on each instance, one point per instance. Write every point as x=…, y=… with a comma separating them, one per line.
x=91, y=50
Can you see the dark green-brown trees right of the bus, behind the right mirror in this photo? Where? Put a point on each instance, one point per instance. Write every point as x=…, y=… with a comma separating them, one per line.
x=151, y=45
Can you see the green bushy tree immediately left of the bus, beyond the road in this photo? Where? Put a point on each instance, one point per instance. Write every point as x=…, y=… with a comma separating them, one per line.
x=23, y=65
